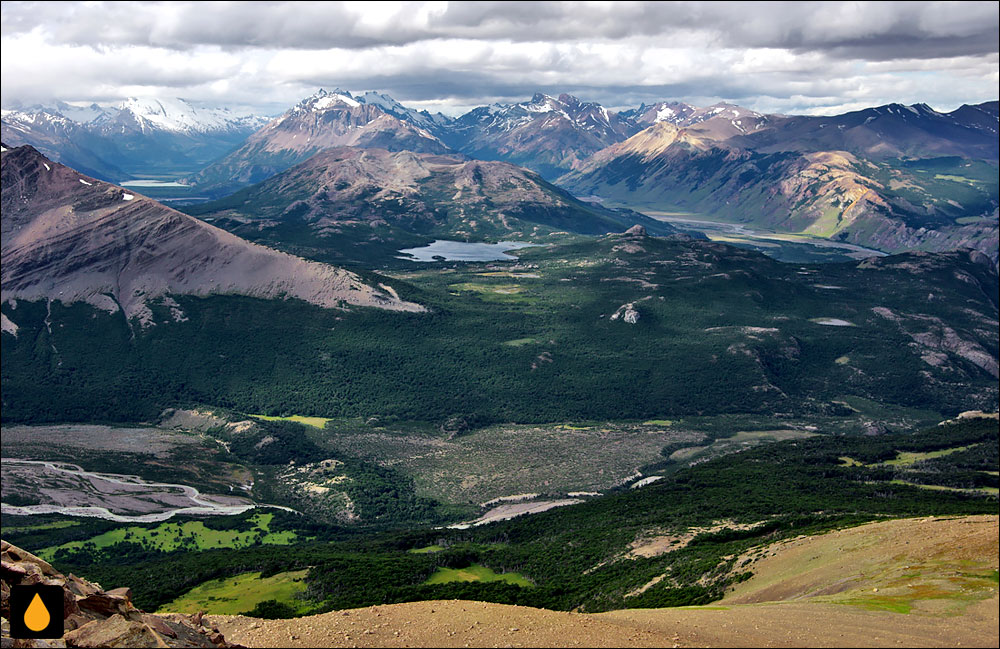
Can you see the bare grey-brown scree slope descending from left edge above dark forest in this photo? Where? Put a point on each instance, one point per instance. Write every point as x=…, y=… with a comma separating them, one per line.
x=69, y=237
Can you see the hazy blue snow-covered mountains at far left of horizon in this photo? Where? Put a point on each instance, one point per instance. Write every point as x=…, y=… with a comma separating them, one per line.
x=136, y=137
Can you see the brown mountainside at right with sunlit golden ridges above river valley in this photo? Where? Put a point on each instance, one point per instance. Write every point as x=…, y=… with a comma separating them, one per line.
x=800, y=175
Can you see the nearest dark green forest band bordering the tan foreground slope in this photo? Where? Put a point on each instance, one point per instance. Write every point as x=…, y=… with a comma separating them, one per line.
x=573, y=556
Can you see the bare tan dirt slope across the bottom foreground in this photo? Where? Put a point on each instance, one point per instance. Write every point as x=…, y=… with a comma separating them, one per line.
x=811, y=591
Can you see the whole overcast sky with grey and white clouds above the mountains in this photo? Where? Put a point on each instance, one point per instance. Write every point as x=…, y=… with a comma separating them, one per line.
x=799, y=57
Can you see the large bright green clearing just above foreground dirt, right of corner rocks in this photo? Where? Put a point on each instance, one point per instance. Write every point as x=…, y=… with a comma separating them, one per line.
x=241, y=593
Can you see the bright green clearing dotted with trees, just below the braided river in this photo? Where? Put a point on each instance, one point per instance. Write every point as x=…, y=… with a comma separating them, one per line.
x=193, y=535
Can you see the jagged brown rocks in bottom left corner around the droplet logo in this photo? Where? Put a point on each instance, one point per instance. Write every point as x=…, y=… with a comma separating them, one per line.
x=93, y=617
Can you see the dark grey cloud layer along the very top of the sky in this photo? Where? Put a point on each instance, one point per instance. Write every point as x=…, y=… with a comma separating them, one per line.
x=879, y=31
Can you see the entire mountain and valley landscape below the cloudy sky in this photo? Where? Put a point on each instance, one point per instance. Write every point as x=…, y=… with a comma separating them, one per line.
x=545, y=354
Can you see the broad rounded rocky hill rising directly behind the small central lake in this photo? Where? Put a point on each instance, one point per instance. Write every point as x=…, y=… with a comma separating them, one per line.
x=348, y=199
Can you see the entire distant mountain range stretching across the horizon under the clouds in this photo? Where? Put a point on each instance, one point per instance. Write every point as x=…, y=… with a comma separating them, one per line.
x=891, y=177
